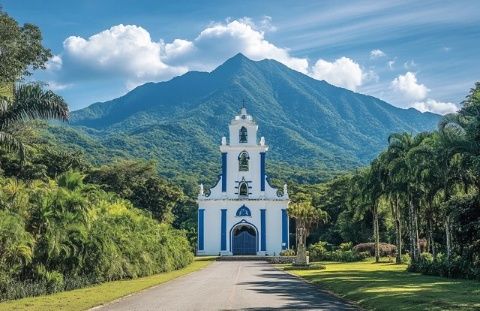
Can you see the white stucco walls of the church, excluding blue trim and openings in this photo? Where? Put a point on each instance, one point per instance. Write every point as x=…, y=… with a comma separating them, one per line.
x=212, y=201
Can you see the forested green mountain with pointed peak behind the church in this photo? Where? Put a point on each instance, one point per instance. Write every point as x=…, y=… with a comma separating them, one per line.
x=312, y=127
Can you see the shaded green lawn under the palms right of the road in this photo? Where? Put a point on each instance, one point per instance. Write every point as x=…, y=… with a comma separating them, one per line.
x=387, y=286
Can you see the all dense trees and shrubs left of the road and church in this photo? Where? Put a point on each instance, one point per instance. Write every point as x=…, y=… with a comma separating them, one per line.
x=59, y=231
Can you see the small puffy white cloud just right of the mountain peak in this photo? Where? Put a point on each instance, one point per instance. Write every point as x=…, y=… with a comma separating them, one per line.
x=343, y=72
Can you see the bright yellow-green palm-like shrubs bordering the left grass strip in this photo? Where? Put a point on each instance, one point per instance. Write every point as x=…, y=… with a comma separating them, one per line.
x=63, y=234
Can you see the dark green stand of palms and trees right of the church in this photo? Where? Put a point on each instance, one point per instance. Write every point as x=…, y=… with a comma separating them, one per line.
x=421, y=193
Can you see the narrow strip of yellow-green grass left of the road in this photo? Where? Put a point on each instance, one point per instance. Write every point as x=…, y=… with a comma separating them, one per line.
x=88, y=297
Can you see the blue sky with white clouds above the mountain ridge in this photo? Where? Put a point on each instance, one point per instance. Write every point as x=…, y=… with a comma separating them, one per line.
x=422, y=54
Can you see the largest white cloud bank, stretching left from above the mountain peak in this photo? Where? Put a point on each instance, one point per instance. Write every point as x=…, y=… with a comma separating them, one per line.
x=128, y=52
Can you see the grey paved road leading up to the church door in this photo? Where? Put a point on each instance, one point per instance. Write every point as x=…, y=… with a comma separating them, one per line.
x=232, y=285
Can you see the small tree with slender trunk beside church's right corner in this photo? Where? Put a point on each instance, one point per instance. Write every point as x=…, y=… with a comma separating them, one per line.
x=306, y=217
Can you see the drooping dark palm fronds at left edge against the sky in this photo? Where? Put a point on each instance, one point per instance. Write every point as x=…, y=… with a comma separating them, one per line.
x=29, y=102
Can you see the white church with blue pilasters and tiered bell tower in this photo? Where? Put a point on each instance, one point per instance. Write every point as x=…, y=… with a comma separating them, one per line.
x=242, y=214
